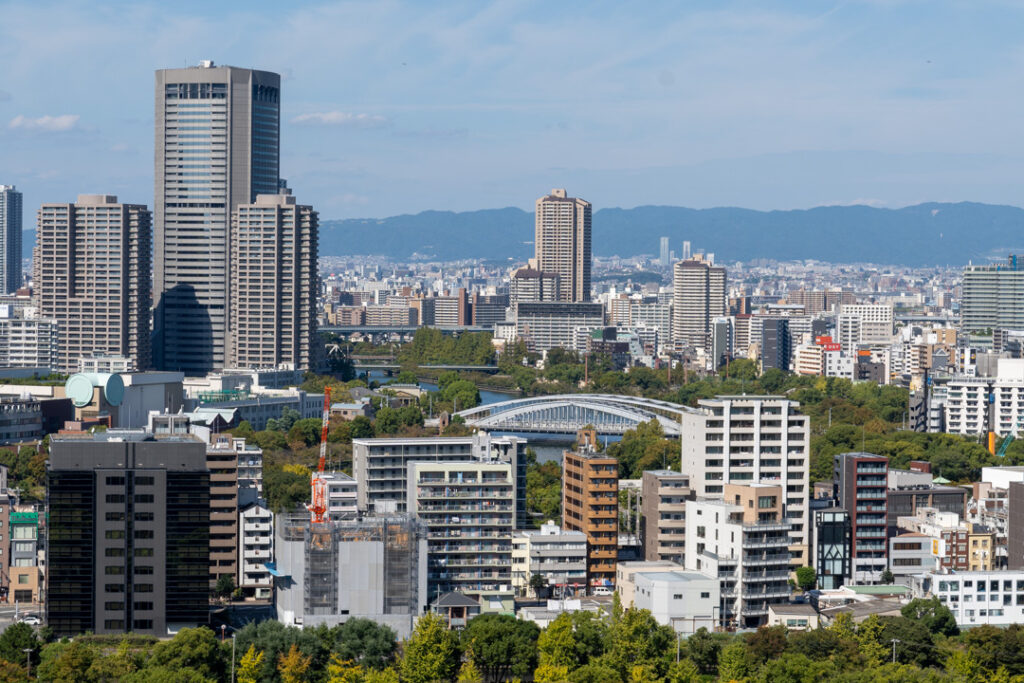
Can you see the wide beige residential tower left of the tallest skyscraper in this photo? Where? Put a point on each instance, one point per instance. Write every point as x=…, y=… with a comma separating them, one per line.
x=92, y=266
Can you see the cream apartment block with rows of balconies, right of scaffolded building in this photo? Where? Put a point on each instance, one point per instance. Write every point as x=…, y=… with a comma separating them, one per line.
x=470, y=513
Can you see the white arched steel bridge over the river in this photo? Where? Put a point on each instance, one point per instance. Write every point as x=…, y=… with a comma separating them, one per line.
x=566, y=414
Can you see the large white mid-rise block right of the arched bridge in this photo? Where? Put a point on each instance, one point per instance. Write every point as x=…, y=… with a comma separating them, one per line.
x=750, y=440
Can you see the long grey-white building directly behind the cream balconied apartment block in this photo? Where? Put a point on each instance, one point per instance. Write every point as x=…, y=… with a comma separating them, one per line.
x=380, y=466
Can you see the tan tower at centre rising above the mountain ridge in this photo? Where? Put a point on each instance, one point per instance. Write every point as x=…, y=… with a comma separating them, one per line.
x=563, y=243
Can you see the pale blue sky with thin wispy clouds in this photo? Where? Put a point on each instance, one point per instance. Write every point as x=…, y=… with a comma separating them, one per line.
x=395, y=108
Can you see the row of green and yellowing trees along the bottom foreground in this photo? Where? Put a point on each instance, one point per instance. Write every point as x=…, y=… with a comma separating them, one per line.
x=617, y=647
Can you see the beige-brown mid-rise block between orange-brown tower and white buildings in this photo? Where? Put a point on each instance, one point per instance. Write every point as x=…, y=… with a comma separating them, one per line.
x=664, y=495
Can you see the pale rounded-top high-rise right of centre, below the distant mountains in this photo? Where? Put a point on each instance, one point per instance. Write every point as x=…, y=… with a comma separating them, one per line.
x=699, y=297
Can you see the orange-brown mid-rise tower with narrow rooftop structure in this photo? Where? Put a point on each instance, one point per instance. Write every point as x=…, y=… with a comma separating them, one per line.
x=590, y=504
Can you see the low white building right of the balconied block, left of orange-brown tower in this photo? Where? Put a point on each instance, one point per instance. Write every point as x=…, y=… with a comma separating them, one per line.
x=558, y=556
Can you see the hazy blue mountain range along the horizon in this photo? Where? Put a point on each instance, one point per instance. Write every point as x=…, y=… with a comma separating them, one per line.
x=922, y=235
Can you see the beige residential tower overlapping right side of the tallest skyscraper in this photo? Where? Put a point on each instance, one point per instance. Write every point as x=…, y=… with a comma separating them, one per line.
x=274, y=284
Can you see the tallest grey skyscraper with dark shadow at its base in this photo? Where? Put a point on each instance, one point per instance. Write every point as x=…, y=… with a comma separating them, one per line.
x=218, y=146
